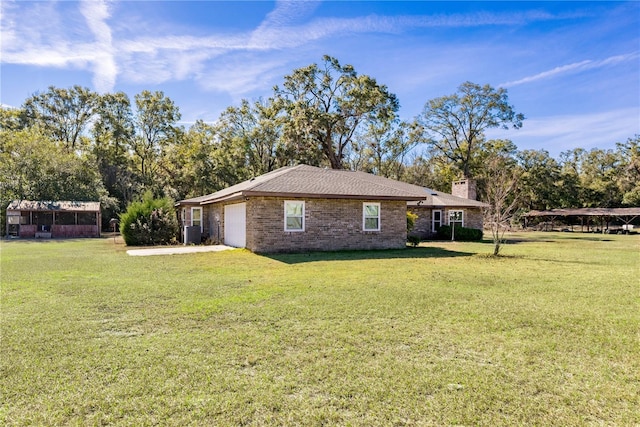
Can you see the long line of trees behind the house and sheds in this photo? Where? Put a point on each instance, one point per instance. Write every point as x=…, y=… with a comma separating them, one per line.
x=75, y=144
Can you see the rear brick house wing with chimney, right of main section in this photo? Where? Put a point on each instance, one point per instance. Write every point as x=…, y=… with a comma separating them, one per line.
x=438, y=209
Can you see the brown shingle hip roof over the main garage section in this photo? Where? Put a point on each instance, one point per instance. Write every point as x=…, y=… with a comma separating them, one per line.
x=310, y=181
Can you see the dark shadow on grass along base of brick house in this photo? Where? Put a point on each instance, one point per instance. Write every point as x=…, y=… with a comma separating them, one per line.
x=408, y=253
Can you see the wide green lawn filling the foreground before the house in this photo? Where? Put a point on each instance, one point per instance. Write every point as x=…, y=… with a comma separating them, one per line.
x=437, y=335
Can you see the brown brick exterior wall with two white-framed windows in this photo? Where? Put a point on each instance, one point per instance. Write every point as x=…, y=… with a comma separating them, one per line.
x=330, y=224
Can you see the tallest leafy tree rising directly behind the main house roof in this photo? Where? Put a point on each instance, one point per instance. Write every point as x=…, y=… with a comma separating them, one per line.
x=327, y=106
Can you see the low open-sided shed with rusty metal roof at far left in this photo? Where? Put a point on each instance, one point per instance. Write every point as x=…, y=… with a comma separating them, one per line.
x=47, y=219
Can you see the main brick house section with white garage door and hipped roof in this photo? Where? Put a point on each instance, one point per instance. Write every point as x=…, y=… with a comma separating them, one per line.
x=305, y=208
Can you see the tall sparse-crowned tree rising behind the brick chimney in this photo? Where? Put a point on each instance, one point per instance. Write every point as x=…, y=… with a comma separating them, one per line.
x=455, y=124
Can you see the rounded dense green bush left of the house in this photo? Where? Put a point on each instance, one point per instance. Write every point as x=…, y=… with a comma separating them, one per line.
x=149, y=222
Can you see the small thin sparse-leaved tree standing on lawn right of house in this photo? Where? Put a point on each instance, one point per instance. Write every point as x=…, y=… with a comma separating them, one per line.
x=501, y=189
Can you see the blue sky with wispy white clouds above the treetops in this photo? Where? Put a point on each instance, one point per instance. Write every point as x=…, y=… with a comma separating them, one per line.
x=572, y=68
